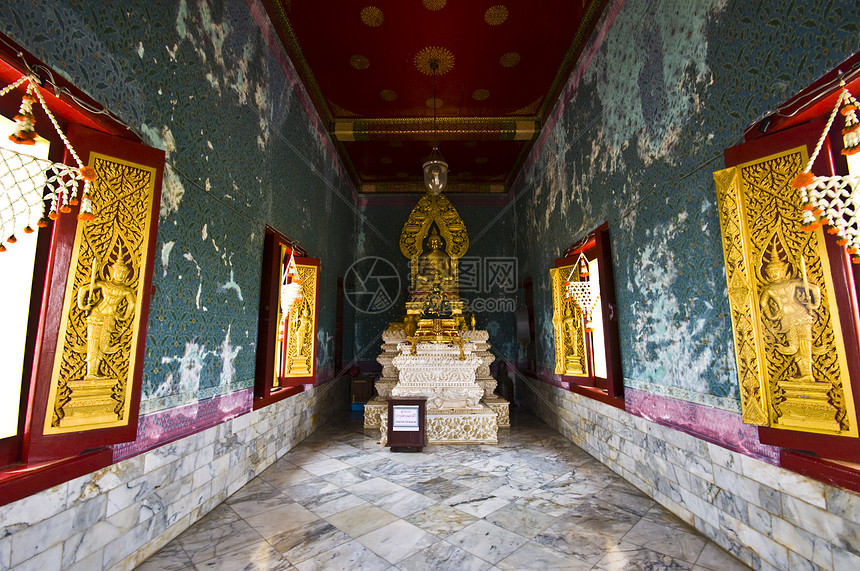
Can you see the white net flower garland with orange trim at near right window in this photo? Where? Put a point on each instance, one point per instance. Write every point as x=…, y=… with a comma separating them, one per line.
x=835, y=200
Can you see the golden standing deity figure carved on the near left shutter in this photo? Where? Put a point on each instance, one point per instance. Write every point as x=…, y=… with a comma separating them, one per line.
x=100, y=300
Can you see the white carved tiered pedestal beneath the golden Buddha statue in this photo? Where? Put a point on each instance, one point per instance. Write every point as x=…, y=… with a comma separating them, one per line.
x=461, y=406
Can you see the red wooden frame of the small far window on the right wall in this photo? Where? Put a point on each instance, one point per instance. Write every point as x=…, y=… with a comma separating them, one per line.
x=596, y=245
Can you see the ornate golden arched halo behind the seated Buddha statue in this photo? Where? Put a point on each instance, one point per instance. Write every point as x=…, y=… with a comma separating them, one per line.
x=432, y=209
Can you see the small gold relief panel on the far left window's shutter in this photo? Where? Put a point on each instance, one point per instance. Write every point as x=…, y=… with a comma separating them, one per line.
x=301, y=328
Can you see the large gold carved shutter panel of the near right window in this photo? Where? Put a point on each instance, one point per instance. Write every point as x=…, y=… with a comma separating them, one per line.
x=792, y=366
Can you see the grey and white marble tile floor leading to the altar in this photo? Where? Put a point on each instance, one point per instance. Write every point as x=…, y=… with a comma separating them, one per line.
x=534, y=501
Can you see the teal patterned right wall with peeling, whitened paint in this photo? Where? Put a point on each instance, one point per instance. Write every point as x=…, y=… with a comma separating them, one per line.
x=669, y=85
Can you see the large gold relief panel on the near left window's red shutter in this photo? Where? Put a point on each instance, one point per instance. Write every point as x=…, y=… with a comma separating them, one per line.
x=94, y=365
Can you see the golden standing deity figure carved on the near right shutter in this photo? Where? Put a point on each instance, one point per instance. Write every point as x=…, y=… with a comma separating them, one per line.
x=789, y=304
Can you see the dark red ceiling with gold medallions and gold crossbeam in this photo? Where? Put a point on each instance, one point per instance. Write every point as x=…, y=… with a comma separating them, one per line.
x=508, y=62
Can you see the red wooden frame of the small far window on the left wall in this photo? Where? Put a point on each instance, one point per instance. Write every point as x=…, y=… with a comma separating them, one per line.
x=264, y=393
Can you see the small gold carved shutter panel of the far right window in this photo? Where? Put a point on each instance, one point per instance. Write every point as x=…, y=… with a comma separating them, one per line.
x=568, y=326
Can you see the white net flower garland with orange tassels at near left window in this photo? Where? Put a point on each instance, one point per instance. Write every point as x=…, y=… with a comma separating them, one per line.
x=22, y=173
